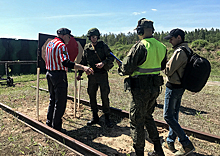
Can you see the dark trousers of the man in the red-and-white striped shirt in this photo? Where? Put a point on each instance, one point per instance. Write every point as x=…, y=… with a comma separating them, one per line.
x=57, y=86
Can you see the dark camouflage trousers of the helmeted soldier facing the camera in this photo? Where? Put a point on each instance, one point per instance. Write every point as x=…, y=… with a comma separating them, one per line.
x=95, y=81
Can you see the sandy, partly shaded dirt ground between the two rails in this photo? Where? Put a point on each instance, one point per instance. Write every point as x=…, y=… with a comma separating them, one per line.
x=111, y=141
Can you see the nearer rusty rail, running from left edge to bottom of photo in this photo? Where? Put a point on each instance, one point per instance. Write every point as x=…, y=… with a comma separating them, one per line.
x=71, y=143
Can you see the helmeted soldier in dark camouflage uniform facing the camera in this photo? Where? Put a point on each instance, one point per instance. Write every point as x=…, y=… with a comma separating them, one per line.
x=97, y=55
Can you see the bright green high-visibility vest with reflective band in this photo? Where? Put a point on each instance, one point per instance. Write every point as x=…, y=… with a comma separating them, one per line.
x=156, y=52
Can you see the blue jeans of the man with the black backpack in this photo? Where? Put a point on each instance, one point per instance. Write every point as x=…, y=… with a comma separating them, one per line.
x=171, y=115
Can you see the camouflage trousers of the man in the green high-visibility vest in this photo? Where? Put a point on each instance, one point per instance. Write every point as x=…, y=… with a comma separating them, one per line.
x=141, y=110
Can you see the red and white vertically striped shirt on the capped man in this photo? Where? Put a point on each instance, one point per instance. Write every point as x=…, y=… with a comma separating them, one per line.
x=56, y=53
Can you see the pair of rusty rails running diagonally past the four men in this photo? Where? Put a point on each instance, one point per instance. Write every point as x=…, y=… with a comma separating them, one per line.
x=80, y=148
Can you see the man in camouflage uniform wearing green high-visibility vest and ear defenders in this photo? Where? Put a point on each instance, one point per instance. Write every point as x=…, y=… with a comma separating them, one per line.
x=143, y=64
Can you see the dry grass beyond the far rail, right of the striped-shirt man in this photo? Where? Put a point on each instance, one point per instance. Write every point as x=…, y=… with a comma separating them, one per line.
x=201, y=109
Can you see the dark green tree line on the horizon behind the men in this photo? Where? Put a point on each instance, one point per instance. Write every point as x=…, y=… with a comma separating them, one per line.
x=212, y=36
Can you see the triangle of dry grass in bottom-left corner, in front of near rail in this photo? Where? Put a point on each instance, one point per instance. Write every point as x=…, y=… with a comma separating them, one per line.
x=18, y=139
